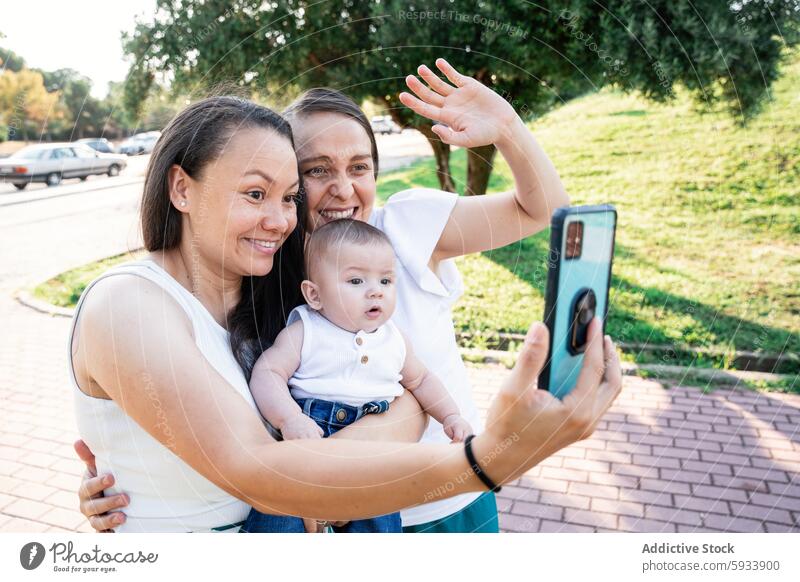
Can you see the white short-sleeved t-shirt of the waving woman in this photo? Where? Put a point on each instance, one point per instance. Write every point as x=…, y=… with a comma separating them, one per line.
x=414, y=221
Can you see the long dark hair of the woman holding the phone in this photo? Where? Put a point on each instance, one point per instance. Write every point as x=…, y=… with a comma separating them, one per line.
x=193, y=139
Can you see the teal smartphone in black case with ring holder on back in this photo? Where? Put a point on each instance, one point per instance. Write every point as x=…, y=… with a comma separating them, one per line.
x=578, y=278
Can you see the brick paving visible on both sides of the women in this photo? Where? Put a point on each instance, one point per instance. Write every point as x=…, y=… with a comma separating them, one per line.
x=662, y=461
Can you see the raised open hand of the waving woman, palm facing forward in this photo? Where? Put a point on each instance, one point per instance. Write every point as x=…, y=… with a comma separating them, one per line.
x=469, y=113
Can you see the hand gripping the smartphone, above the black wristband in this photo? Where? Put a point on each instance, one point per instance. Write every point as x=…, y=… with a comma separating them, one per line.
x=525, y=425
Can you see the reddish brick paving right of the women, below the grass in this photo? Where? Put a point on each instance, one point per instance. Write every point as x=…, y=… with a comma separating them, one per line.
x=667, y=460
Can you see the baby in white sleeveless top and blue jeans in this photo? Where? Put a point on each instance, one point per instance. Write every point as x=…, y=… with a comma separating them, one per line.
x=341, y=356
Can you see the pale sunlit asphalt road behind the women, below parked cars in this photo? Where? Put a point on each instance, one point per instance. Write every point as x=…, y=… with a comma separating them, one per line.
x=45, y=231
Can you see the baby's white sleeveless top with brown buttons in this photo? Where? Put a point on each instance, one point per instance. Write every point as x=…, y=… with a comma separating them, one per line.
x=341, y=366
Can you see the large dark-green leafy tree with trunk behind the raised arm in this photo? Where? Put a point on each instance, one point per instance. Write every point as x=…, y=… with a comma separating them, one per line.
x=536, y=54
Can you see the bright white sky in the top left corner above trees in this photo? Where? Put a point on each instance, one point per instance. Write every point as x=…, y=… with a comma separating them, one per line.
x=79, y=34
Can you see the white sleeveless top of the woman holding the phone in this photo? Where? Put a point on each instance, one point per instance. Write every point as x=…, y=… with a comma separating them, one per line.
x=166, y=494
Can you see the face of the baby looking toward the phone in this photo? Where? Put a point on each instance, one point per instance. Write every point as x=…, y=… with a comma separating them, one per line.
x=356, y=286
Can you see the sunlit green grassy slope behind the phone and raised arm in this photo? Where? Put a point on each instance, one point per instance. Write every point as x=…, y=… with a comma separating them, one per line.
x=708, y=252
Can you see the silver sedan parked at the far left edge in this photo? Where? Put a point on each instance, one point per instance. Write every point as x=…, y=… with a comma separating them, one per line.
x=53, y=162
